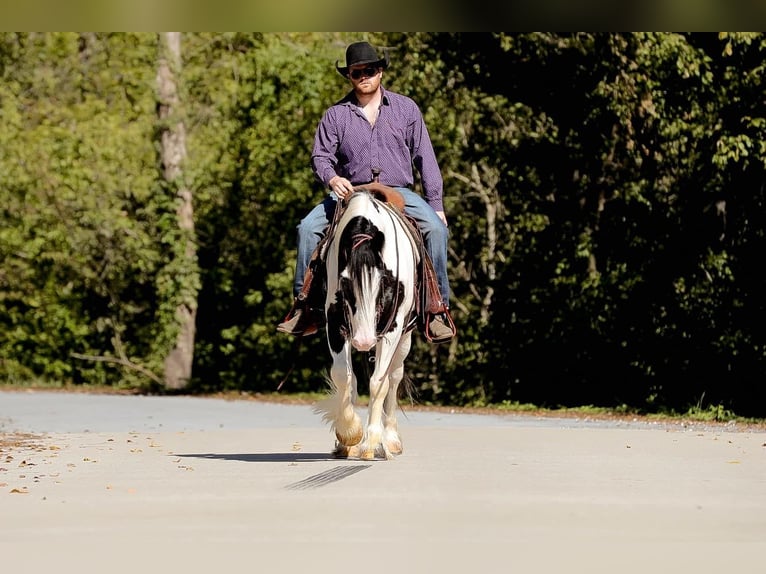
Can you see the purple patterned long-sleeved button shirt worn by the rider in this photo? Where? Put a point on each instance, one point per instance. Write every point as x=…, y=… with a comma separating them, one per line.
x=346, y=145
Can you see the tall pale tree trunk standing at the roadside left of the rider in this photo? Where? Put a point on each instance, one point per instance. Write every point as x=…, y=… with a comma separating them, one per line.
x=178, y=363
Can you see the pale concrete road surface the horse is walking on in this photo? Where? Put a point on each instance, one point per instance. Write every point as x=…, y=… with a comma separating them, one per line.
x=112, y=484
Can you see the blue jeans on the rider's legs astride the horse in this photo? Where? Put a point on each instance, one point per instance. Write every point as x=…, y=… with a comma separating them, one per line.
x=312, y=228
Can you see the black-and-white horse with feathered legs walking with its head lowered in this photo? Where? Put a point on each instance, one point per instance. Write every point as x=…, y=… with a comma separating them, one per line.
x=371, y=262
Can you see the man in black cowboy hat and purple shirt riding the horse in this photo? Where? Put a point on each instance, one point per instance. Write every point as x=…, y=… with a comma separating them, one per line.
x=373, y=131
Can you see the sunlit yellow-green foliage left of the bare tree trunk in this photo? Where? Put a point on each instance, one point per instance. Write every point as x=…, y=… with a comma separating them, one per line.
x=77, y=169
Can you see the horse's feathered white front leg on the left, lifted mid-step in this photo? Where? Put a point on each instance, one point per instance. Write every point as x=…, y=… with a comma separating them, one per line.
x=338, y=408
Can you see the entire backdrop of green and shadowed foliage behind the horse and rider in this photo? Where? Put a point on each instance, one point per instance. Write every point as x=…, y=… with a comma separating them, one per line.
x=605, y=196
